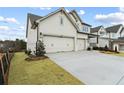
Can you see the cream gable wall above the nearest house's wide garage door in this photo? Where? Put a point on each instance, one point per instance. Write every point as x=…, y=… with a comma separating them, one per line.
x=53, y=26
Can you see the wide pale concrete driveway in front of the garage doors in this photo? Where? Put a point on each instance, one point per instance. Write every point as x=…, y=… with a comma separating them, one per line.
x=91, y=67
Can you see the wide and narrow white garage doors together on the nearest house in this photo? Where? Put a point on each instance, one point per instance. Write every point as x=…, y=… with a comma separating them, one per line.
x=62, y=43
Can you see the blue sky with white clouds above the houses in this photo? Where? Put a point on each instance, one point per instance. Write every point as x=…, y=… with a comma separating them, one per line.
x=13, y=20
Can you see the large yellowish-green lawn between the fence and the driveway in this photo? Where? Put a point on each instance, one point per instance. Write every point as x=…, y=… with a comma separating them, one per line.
x=39, y=72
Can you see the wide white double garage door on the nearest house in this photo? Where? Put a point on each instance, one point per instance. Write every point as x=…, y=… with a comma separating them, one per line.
x=58, y=44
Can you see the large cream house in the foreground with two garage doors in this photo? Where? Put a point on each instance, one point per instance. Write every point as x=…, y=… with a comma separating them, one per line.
x=59, y=31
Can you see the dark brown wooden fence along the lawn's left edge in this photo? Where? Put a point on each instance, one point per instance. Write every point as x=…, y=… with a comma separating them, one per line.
x=5, y=59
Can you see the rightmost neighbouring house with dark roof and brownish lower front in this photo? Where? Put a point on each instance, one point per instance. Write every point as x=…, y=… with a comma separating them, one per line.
x=116, y=35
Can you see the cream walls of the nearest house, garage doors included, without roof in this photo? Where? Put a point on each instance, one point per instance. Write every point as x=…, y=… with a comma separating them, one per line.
x=57, y=37
